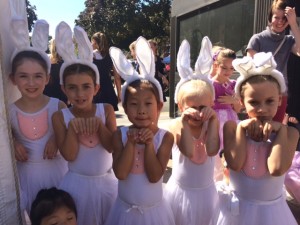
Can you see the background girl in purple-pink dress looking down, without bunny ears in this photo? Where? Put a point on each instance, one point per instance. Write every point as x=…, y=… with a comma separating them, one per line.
x=226, y=104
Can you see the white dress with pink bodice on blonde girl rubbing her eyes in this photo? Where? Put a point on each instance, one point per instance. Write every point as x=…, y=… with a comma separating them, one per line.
x=191, y=191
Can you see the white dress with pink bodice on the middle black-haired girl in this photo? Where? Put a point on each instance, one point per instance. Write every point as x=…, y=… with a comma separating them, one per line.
x=140, y=202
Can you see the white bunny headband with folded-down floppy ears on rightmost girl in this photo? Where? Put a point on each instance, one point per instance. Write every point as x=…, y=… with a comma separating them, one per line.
x=261, y=64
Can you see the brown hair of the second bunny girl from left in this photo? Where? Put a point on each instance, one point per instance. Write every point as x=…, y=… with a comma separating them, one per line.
x=78, y=68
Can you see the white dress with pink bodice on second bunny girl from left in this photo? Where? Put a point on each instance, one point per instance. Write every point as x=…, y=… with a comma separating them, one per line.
x=90, y=179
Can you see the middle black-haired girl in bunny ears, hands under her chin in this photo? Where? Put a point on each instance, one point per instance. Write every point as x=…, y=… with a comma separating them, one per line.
x=142, y=150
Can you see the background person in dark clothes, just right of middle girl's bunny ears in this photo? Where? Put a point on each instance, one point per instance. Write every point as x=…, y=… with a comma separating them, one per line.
x=159, y=67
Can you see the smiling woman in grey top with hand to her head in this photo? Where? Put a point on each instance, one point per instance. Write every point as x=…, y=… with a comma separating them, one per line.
x=274, y=40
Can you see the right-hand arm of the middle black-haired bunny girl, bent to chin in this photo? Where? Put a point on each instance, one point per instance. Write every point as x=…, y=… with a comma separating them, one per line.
x=156, y=163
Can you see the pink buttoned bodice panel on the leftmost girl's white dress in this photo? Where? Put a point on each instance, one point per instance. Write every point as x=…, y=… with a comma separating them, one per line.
x=35, y=126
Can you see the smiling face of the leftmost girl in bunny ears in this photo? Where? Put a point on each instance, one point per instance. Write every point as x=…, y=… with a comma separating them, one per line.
x=30, y=78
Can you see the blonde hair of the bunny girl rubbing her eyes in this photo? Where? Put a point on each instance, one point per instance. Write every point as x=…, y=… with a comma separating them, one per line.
x=193, y=88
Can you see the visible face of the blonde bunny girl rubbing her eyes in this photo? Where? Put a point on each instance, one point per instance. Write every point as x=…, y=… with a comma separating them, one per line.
x=198, y=102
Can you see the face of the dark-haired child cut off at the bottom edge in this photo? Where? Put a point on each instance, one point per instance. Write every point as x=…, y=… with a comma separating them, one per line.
x=62, y=216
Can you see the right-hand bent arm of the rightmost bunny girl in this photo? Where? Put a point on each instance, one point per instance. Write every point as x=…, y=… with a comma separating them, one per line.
x=283, y=147
